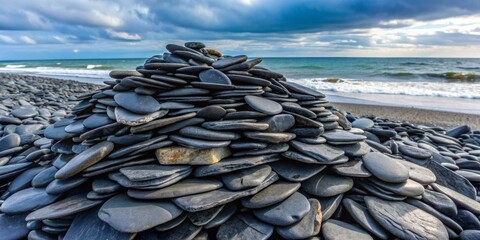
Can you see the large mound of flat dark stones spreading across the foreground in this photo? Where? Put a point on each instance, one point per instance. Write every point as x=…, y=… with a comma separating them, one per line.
x=193, y=145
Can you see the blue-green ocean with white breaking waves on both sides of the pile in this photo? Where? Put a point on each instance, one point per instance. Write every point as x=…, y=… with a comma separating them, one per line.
x=437, y=77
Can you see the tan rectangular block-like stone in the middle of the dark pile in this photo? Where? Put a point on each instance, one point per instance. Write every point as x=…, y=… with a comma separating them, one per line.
x=191, y=156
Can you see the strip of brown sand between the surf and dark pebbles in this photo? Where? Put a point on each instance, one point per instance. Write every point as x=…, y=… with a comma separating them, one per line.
x=413, y=115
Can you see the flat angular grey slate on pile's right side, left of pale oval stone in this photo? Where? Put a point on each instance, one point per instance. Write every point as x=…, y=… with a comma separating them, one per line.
x=324, y=153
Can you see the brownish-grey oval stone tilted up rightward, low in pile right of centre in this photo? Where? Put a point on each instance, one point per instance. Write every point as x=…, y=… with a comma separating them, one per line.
x=275, y=193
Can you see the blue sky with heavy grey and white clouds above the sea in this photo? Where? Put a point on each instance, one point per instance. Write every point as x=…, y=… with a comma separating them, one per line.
x=49, y=29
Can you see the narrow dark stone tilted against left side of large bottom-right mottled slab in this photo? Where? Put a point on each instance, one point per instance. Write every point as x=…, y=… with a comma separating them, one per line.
x=361, y=215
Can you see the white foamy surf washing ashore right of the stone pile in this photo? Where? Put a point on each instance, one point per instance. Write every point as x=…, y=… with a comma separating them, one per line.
x=437, y=89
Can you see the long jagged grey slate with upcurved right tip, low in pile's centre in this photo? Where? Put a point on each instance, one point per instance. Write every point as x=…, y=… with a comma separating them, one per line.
x=202, y=201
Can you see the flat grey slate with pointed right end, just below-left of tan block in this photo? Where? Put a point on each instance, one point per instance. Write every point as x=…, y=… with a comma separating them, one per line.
x=151, y=171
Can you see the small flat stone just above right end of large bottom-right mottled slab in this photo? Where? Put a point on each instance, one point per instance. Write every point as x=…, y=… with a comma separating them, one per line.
x=440, y=202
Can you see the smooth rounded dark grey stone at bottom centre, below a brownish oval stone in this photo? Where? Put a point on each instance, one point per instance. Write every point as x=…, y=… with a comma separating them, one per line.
x=285, y=213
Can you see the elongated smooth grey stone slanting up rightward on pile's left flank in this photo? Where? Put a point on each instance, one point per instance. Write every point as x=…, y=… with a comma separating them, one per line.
x=85, y=159
